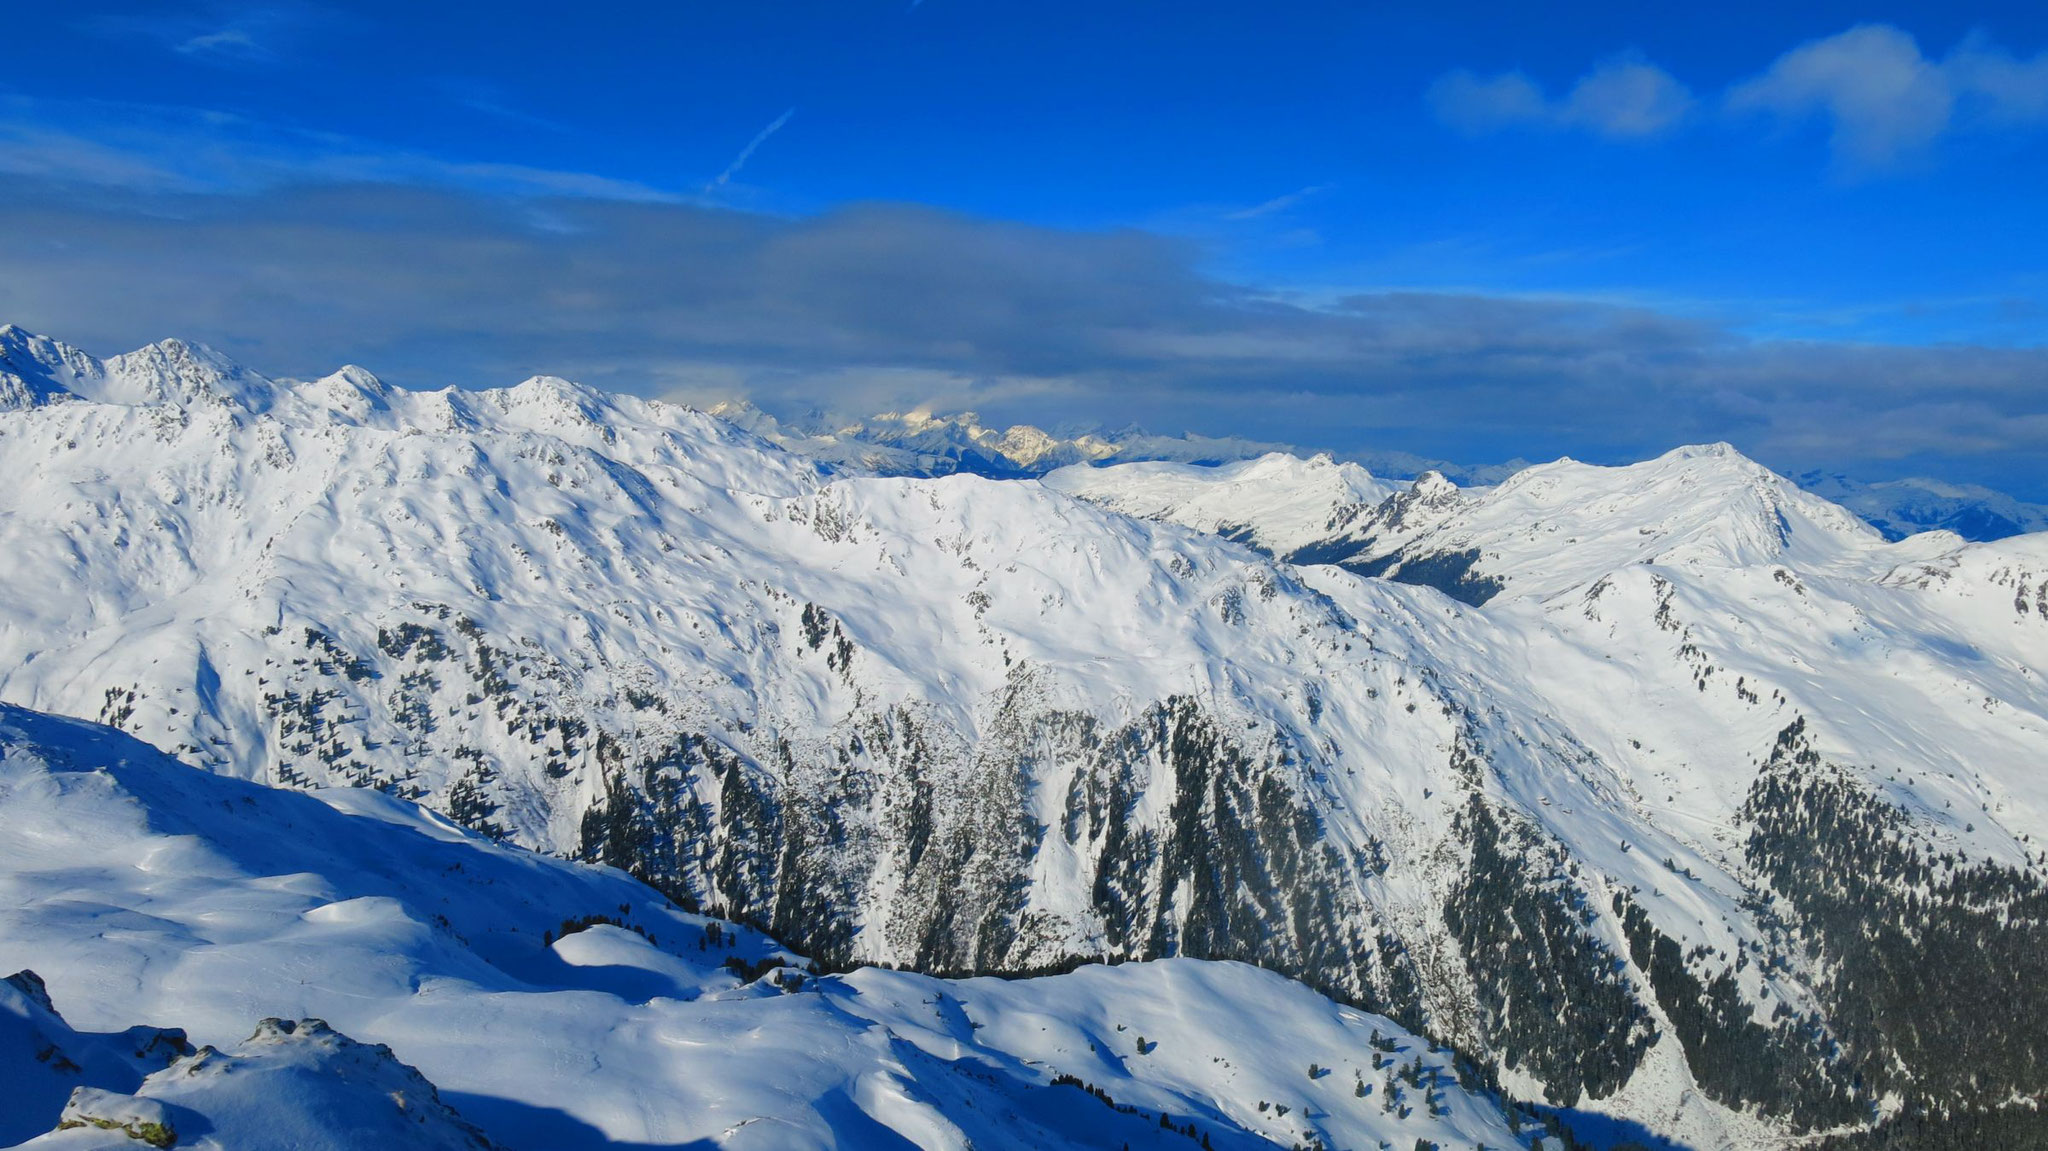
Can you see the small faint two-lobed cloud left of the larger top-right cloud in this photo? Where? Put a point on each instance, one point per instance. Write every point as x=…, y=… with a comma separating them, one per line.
x=1621, y=99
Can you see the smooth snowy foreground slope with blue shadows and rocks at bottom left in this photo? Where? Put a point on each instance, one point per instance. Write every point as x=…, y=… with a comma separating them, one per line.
x=151, y=892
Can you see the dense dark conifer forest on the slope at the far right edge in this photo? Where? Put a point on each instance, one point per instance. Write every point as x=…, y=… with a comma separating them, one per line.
x=1936, y=968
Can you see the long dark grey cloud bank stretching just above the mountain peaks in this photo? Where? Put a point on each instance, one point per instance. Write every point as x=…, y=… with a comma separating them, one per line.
x=890, y=306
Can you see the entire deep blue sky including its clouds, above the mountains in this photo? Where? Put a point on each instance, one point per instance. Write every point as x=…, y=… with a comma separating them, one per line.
x=1467, y=230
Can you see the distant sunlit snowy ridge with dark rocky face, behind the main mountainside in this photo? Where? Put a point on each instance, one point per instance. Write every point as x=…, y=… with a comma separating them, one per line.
x=1545, y=531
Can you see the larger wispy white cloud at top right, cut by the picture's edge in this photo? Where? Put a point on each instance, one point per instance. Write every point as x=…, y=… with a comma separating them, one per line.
x=1887, y=101
